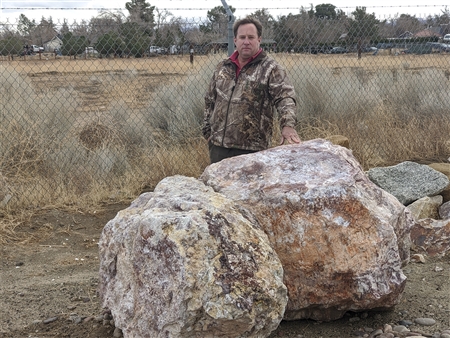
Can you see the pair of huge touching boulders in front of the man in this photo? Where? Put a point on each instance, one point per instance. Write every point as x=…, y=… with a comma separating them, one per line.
x=213, y=257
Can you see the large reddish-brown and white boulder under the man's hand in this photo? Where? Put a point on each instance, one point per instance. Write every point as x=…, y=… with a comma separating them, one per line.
x=341, y=239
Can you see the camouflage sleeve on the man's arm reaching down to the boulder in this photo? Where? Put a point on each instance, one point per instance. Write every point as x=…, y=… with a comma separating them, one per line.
x=284, y=97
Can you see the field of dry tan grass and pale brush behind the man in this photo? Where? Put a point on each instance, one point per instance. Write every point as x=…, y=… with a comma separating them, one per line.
x=79, y=133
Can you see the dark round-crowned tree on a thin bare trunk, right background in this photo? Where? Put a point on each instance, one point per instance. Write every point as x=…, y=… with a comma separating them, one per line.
x=362, y=27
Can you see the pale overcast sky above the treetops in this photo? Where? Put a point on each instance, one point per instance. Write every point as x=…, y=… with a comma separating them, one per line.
x=86, y=9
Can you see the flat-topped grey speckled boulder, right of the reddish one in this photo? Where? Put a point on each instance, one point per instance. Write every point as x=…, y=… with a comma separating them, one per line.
x=409, y=181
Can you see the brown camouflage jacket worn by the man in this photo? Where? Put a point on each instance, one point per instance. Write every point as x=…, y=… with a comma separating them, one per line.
x=239, y=112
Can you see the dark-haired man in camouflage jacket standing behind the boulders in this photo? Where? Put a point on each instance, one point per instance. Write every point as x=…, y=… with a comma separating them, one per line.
x=241, y=96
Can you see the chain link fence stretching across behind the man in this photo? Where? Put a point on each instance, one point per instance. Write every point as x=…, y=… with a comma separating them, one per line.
x=104, y=109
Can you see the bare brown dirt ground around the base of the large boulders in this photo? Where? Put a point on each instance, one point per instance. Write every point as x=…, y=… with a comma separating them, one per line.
x=49, y=286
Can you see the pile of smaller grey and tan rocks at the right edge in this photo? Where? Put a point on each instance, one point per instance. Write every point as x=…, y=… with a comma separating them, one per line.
x=425, y=190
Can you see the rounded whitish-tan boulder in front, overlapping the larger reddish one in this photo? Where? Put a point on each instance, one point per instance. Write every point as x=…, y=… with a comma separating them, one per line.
x=184, y=261
